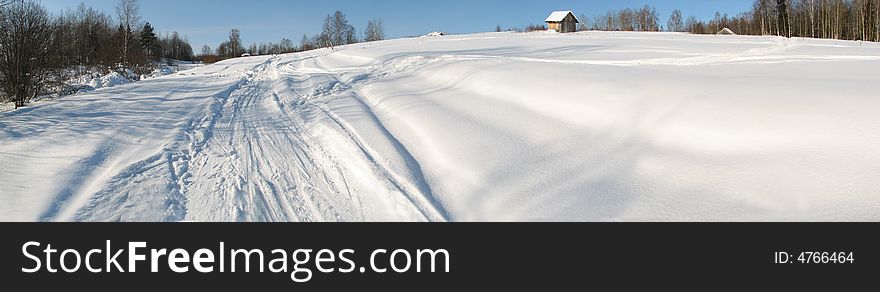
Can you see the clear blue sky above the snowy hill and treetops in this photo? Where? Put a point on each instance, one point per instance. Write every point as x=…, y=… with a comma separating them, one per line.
x=209, y=21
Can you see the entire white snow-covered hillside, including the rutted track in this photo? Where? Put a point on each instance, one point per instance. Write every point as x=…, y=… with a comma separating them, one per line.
x=593, y=126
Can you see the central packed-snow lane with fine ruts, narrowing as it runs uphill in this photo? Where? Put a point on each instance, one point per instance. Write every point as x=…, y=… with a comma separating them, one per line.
x=255, y=169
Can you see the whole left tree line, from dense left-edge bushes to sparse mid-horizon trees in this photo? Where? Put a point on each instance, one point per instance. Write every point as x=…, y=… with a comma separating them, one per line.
x=42, y=53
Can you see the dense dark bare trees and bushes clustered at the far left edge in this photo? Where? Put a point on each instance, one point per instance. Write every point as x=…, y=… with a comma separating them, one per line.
x=39, y=51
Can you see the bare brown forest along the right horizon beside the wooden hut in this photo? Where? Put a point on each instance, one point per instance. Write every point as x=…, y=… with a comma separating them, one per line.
x=833, y=19
